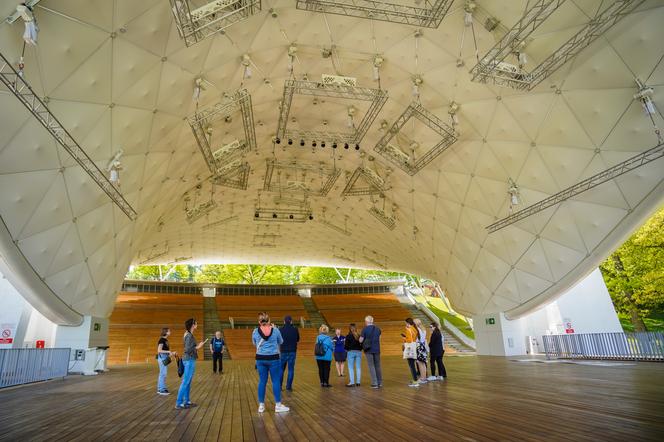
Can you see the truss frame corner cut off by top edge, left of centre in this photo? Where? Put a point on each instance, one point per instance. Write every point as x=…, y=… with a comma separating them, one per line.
x=198, y=19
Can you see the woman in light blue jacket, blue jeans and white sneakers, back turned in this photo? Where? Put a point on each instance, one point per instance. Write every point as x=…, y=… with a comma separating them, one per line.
x=267, y=339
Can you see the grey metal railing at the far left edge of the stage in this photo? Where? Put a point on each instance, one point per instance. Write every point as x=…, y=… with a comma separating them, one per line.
x=26, y=365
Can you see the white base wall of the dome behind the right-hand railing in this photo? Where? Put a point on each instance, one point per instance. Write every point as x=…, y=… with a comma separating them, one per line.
x=585, y=308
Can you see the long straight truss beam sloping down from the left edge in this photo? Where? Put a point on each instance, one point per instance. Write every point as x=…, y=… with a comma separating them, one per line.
x=22, y=90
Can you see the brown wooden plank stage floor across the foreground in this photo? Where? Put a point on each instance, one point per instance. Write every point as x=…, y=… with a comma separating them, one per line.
x=484, y=399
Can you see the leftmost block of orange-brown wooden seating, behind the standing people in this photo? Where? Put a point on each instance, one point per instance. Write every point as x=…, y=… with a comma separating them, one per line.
x=137, y=320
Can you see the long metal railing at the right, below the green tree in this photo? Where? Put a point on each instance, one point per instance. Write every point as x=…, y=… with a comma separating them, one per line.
x=642, y=346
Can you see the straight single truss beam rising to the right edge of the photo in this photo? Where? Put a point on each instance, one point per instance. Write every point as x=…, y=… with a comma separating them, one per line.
x=582, y=186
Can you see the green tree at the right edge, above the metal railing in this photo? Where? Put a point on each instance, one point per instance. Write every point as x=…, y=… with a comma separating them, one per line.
x=634, y=273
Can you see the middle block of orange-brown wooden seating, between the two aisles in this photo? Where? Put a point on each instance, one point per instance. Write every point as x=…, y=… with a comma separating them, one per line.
x=244, y=309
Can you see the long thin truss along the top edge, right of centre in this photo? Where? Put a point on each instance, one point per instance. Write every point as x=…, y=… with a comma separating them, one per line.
x=427, y=14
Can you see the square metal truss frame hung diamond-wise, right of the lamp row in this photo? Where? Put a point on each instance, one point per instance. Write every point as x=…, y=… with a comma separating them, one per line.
x=409, y=163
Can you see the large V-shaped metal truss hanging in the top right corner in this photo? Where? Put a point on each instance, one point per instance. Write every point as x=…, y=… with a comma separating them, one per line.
x=494, y=67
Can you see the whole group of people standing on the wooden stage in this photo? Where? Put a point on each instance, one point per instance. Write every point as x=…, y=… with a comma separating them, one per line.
x=276, y=350
